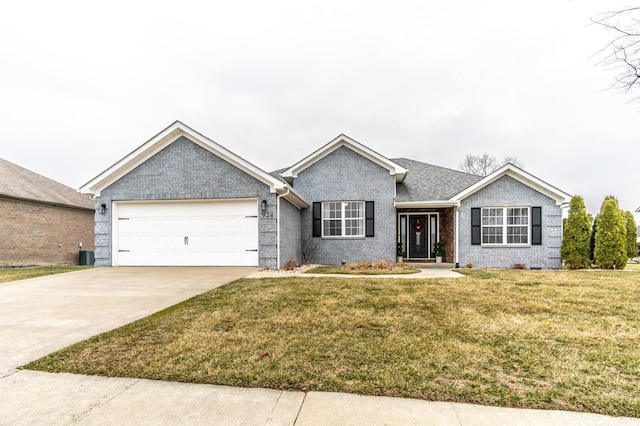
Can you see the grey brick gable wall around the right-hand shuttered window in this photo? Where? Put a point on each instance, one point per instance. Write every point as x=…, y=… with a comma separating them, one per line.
x=505, y=192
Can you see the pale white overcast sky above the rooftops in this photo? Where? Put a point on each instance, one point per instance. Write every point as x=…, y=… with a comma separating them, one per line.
x=84, y=83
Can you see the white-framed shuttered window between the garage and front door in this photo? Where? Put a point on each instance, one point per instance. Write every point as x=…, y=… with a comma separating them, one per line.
x=343, y=219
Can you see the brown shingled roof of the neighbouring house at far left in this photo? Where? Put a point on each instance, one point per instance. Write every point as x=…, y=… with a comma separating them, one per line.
x=19, y=183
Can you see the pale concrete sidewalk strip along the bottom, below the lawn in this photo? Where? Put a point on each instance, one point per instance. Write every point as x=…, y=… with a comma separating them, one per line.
x=34, y=398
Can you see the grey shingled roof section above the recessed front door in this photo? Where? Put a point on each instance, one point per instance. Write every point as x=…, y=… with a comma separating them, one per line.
x=429, y=184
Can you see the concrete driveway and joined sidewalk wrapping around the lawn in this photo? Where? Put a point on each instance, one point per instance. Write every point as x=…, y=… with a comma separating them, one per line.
x=41, y=315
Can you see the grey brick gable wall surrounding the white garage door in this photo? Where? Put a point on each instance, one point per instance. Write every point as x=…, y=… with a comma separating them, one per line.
x=185, y=171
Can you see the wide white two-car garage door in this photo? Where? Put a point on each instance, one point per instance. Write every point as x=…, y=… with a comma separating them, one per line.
x=198, y=233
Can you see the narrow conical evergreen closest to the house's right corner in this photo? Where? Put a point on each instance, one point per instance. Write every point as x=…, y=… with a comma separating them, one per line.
x=575, y=250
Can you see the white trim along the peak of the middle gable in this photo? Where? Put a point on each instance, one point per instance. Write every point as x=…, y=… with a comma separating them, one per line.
x=342, y=140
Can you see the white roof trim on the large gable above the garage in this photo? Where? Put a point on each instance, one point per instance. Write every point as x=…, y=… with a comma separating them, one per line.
x=170, y=135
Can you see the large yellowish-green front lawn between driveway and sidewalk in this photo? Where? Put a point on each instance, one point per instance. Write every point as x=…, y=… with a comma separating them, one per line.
x=564, y=340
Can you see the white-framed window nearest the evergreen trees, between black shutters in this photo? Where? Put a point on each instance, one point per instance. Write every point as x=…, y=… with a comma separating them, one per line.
x=505, y=225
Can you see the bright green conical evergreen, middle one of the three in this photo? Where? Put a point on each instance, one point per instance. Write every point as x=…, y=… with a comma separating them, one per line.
x=610, y=250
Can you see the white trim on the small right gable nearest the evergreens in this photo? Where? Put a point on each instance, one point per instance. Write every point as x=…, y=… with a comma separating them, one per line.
x=521, y=176
